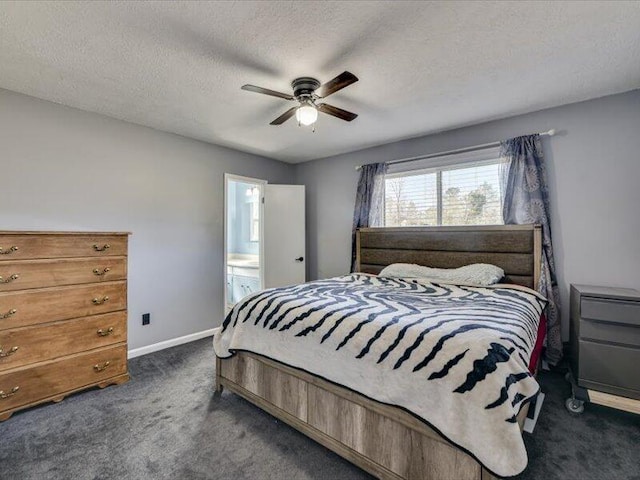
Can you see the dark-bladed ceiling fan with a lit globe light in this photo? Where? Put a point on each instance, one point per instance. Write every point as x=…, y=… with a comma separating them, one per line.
x=307, y=91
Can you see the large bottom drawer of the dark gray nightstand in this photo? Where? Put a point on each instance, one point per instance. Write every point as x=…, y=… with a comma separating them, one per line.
x=612, y=365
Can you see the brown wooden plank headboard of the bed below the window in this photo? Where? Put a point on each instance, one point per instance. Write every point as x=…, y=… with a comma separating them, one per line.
x=517, y=249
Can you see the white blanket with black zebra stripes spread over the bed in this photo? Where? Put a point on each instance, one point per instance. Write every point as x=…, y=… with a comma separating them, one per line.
x=454, y=356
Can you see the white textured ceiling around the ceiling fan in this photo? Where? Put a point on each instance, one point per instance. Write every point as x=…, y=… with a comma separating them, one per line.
x=423, y=66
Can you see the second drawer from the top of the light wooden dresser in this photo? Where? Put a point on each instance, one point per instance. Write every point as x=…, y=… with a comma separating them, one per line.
x=50, y=273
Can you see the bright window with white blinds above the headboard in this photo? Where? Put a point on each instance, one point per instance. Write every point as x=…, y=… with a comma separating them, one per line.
x=458, y=192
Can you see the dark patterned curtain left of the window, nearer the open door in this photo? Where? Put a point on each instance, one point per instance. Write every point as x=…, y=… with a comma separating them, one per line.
x=369, y=202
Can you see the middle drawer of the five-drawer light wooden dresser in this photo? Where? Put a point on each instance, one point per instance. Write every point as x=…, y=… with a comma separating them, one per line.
x=30, y=307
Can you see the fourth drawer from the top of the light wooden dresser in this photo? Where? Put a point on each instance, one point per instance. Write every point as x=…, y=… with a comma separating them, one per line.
x=23, y=346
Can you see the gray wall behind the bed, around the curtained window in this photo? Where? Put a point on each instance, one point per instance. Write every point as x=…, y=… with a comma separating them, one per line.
x=594, y=174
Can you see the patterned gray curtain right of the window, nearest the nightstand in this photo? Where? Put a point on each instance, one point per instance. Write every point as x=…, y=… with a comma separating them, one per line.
x=526, y=200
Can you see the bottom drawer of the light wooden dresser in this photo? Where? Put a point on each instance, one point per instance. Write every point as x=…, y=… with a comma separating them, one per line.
x=28, y=385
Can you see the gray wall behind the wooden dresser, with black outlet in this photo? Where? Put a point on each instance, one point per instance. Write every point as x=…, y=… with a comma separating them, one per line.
x=65, y=169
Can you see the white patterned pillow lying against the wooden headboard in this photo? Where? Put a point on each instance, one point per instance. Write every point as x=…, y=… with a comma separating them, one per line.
x=475, y=274
